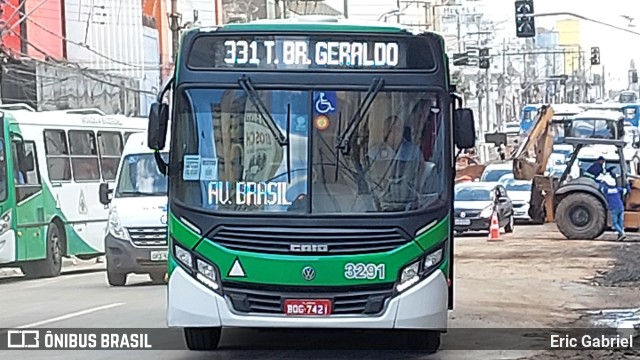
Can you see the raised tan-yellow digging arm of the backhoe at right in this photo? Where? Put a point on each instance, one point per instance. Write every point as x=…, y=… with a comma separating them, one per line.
x=533, y=154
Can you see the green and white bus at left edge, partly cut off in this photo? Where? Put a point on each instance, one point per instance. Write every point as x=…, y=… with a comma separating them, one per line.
x=51, y=166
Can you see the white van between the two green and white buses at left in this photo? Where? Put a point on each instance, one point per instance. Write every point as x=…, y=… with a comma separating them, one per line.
x=136, y=233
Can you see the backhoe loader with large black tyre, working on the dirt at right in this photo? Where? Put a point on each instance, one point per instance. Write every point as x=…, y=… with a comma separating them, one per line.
x=576, y=204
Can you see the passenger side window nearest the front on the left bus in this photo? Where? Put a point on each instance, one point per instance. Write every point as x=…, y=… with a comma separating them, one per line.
x=57, y=153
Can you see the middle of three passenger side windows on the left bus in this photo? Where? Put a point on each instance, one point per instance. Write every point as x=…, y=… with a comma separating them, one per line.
x=84, y=155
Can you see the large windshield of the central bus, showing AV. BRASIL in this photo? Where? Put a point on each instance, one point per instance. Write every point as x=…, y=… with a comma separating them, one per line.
x=232, y=162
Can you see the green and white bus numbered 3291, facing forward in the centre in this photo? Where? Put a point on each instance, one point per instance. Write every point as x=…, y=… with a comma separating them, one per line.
x=311, y=168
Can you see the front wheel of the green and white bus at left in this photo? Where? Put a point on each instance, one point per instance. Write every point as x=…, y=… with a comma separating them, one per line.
x=51, y=265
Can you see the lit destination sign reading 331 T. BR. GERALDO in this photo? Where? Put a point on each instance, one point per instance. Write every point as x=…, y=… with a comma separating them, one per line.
x=299, y=53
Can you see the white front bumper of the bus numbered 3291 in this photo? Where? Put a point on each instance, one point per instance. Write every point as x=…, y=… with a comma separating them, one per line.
x=191, y=304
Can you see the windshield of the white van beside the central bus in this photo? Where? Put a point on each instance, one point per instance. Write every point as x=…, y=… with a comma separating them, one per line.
x=140, y=176
